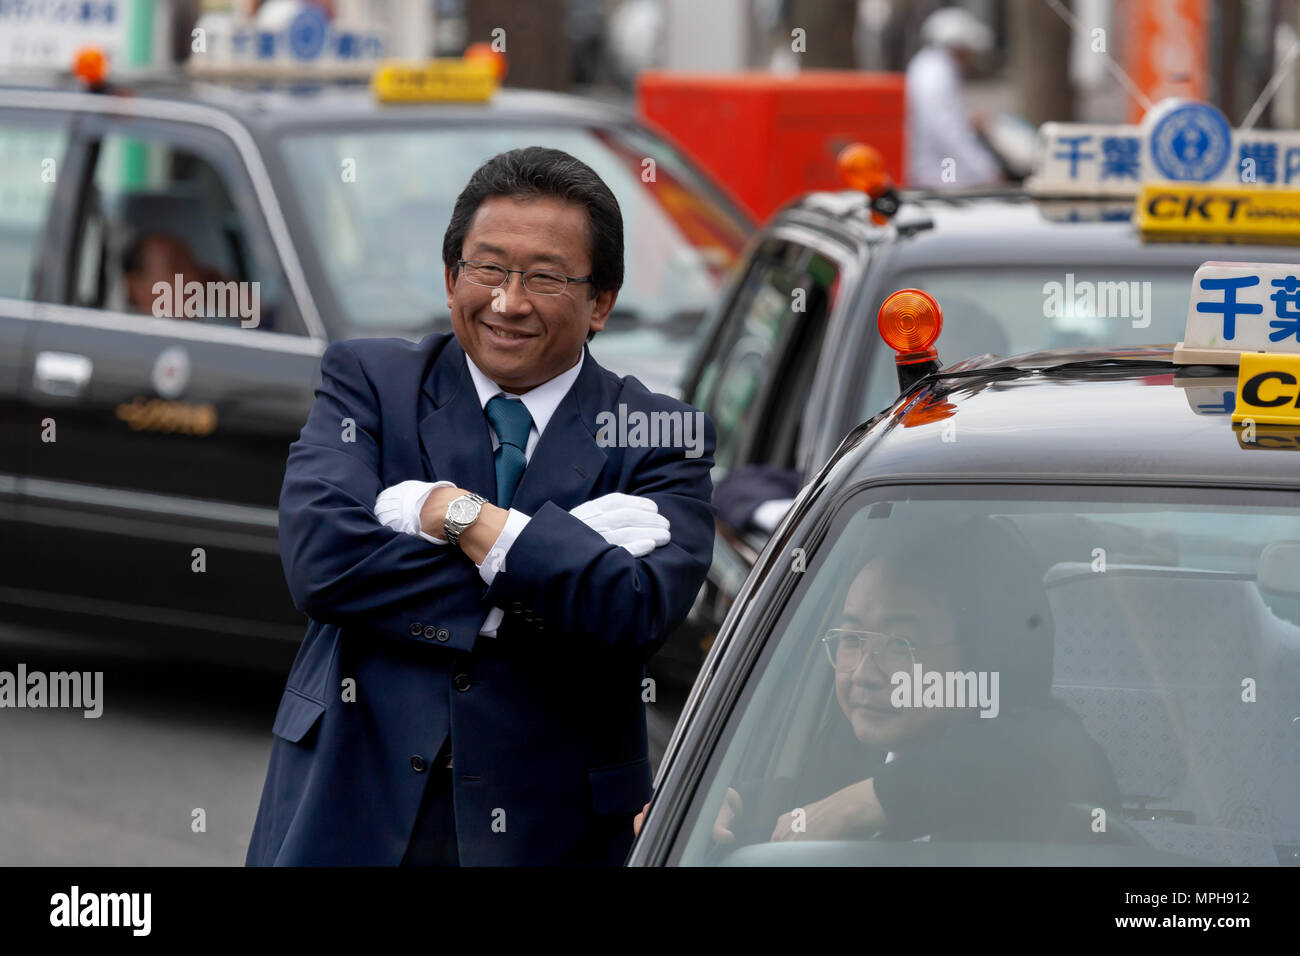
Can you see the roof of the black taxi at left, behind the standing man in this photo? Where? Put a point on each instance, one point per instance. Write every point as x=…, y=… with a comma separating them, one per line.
x=320, y=103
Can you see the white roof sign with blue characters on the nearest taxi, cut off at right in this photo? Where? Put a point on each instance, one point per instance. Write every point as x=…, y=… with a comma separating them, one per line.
x=1241, y=308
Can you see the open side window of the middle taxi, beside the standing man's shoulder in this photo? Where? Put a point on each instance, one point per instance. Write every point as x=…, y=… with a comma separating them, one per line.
x=766, y=354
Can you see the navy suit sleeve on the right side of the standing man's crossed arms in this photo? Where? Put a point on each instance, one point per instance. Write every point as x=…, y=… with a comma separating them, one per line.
x=583, y=587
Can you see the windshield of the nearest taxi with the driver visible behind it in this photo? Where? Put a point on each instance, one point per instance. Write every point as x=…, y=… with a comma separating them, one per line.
x=1060, y=676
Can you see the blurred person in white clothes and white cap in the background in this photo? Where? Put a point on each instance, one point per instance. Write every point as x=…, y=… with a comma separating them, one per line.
x=939, y=128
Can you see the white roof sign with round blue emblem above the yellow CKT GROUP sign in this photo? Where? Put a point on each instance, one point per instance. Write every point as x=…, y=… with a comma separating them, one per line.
x=1178, y=142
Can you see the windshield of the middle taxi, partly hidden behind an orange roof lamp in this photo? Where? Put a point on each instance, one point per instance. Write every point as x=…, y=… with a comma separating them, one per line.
x=1012, y=312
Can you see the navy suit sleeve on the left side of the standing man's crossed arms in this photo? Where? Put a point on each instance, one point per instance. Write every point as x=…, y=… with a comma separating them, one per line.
x=343, y=565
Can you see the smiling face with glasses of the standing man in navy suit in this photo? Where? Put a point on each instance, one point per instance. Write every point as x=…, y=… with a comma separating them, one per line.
x=521, y=339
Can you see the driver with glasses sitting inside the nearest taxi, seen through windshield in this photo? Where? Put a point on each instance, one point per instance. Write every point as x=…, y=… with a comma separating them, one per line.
x=1002, y=760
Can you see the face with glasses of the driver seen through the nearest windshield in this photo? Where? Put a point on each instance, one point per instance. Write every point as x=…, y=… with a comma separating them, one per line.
x=889, y=603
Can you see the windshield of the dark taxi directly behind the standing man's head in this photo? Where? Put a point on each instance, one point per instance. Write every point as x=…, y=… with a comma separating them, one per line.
x=378, y=204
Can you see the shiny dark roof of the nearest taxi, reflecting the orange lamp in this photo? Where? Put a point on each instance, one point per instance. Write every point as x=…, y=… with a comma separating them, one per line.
x=1034, y=418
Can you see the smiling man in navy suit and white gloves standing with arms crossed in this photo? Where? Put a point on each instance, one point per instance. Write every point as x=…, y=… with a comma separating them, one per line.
x=491, y=535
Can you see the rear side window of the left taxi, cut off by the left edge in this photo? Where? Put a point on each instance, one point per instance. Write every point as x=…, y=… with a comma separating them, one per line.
x=32, y=152
